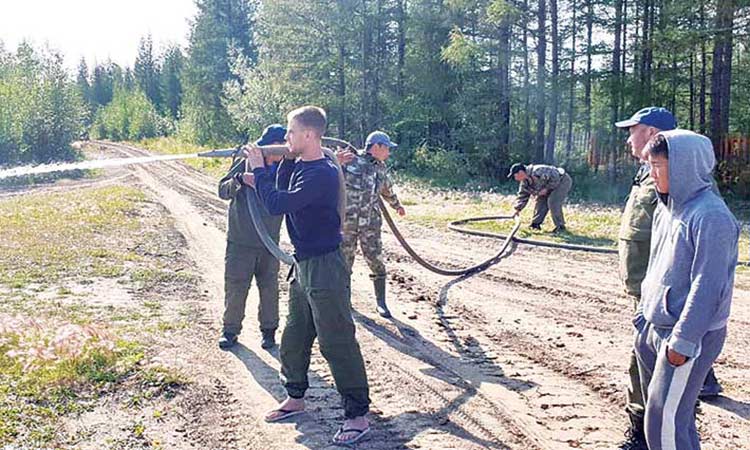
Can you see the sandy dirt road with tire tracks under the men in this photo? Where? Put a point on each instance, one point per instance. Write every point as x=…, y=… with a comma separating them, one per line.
x=531, y=353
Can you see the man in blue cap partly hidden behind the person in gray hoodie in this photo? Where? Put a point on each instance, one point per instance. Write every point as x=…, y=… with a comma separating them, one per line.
x=634, y=249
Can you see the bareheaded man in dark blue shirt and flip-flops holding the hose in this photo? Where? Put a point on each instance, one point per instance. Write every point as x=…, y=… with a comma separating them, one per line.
x=307, y=192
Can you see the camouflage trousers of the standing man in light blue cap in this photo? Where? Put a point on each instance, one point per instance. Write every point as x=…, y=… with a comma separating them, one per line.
x=370, y=242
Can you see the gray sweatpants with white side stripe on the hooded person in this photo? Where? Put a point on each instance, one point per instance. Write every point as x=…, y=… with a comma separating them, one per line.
x=671, y=392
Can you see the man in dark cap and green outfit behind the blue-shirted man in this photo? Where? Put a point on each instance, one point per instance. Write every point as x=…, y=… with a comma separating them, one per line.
x=246, y=257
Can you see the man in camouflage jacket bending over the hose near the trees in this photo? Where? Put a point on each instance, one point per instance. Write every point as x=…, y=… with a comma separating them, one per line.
x=549, y=185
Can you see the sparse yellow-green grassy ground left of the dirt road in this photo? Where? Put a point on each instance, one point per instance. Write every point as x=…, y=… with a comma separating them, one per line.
x=50, y=242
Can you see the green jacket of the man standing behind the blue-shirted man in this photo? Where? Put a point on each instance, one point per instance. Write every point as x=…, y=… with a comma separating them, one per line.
x=240, y=229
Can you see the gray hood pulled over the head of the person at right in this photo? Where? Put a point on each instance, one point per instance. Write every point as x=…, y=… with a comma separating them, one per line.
x=691, y=165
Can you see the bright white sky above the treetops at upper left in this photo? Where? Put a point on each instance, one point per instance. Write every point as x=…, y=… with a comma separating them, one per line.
x=95, y=29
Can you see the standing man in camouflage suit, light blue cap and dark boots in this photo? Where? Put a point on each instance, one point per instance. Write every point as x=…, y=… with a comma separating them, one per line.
x=366, y=179
